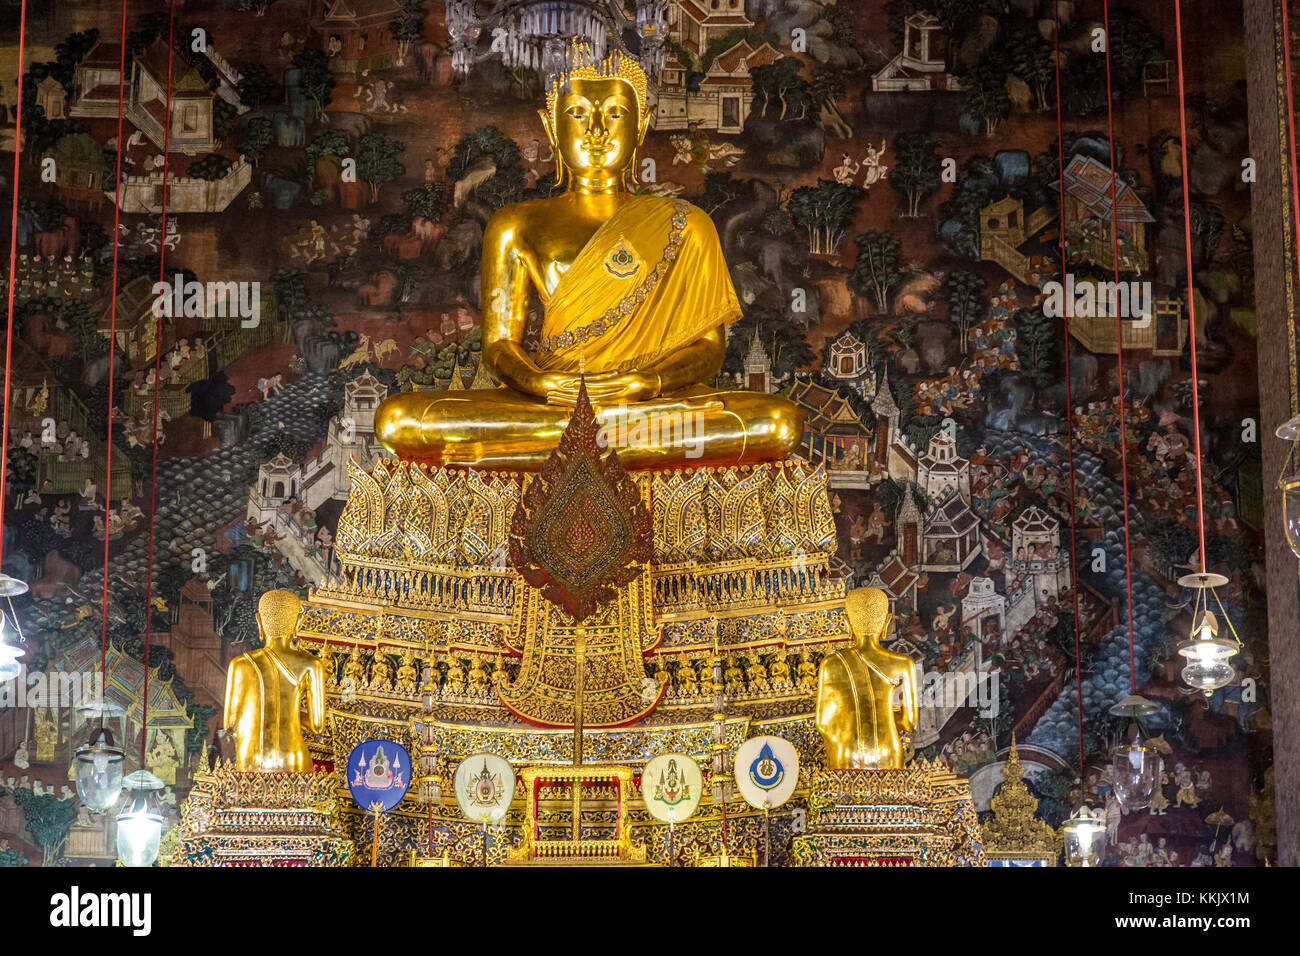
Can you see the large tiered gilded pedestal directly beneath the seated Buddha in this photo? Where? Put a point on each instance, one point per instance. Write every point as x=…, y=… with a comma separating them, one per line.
x=740, y=570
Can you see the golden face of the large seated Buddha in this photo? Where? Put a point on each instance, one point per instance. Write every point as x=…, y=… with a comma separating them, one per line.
x=597, y=128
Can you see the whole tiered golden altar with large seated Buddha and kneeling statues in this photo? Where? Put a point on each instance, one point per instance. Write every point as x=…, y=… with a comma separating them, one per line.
x=601, y=563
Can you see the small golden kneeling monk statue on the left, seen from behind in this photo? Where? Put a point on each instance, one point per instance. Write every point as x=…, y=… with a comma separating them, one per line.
x=266, y=691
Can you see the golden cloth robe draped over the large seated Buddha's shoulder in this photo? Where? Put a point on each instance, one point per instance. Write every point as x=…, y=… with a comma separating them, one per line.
x=651, y=280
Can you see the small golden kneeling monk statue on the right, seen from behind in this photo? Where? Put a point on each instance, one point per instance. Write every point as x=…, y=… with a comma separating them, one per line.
x=866, y=693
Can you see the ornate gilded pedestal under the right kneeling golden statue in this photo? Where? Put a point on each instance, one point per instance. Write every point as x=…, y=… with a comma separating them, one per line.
x=920, y=816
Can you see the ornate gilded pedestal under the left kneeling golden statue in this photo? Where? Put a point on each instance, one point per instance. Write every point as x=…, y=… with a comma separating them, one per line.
x=255, y=819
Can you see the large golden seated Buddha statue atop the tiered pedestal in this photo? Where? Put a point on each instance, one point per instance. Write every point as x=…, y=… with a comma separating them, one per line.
x=636, y=299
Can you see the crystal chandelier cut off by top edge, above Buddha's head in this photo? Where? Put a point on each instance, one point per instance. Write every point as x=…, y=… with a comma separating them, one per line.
x=539, y=34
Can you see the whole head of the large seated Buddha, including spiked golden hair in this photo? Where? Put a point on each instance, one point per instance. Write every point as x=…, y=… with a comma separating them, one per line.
x=596, y=118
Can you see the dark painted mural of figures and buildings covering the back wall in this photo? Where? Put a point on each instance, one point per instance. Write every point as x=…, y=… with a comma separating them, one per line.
x=887, y=180
